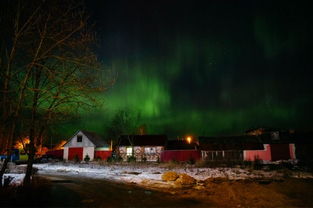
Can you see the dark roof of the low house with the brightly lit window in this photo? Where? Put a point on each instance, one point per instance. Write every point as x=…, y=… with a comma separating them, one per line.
x=142, y=140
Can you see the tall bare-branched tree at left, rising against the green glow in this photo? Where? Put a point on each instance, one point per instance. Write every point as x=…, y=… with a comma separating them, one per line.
x=53, y=70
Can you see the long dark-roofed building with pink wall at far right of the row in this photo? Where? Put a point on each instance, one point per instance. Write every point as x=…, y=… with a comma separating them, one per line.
x=265, y=146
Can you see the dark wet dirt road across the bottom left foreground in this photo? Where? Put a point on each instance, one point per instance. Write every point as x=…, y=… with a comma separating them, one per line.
x=59, y=191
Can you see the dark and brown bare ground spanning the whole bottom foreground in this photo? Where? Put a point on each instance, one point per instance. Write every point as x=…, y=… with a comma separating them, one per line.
x=64, y=191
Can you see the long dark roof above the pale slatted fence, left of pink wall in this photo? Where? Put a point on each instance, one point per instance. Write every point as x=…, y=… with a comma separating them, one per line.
x=244, y=142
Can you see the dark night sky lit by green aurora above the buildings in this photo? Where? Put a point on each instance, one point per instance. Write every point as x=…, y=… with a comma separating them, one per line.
x=205, y=67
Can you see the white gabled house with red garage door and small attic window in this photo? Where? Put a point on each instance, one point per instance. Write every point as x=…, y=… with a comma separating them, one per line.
x=85, y=143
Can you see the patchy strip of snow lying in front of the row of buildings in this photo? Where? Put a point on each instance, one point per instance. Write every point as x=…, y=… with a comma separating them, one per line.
x=141, y=173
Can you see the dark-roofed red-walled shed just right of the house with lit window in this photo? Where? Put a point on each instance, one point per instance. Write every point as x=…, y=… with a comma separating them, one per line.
x=180, y=150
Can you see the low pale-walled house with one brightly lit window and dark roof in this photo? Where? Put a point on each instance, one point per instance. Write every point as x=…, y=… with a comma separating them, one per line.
x=142, y=147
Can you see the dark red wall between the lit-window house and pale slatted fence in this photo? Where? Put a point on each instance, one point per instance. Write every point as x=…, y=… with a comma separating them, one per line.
x=180, y=155
